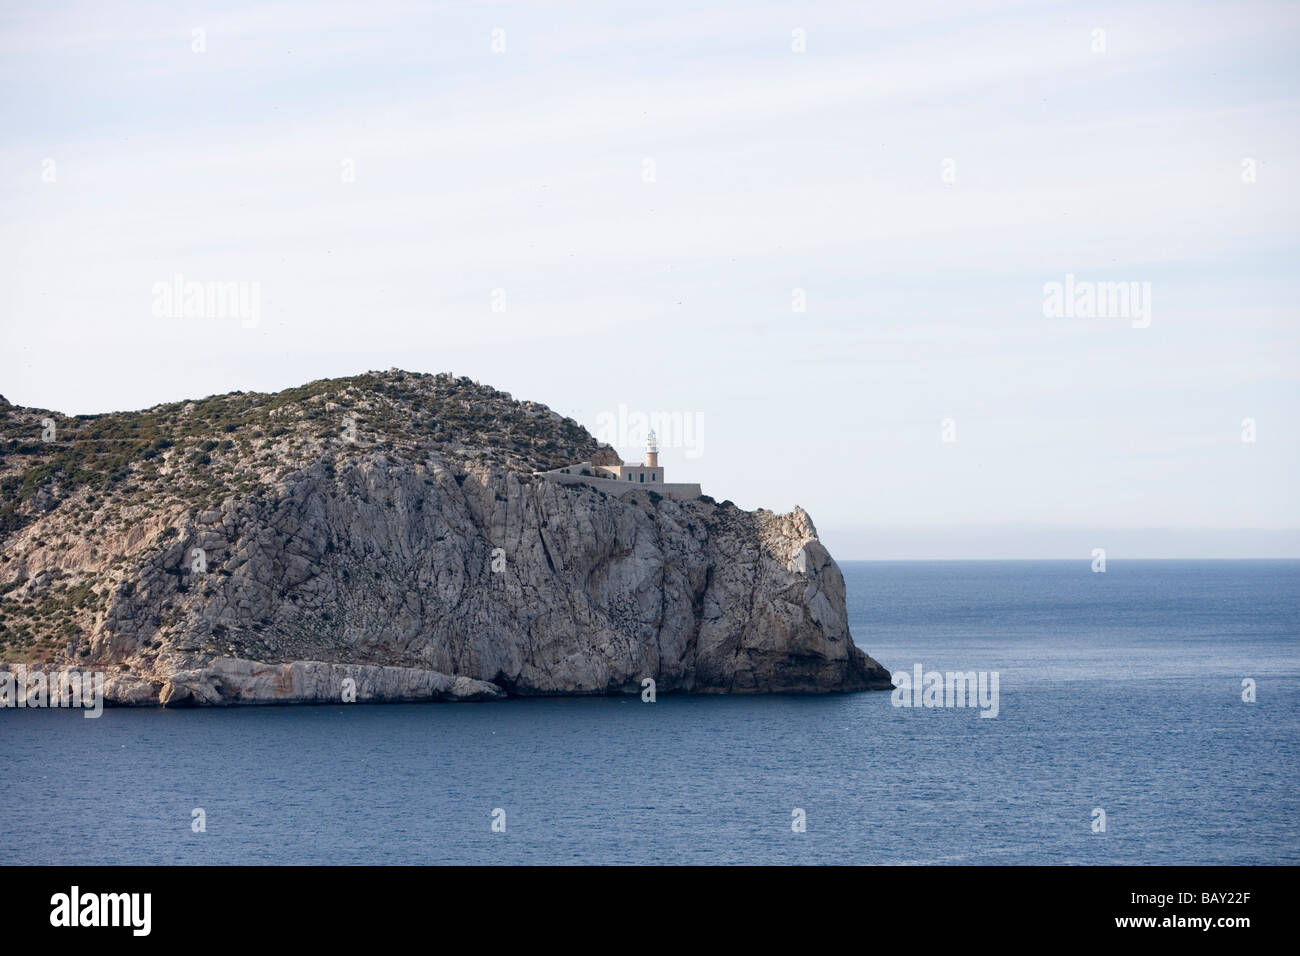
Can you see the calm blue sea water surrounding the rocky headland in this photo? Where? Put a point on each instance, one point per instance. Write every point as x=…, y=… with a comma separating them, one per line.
x=1120, y=691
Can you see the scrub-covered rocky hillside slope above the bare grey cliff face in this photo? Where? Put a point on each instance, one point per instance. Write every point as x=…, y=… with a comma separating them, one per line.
x=94, y=490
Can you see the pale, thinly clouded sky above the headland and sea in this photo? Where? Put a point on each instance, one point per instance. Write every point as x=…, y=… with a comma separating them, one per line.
x=820, y=237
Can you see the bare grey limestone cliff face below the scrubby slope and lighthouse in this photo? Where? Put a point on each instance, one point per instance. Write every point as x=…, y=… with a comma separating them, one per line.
x=443, y=576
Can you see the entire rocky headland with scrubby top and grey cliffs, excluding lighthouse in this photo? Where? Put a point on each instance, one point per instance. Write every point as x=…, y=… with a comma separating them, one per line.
x=388, y=533
